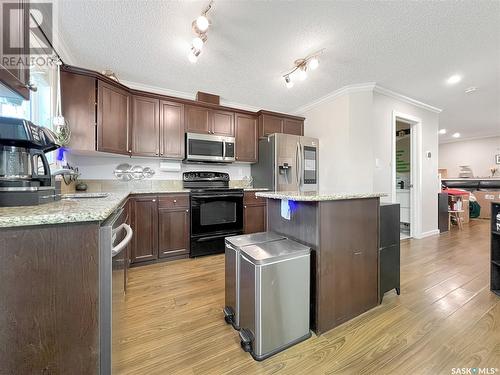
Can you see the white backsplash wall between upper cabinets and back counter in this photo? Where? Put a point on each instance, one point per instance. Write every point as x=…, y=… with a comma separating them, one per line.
x=101, y=167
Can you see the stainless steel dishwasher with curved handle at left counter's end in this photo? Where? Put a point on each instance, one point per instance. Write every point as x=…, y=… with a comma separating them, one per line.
x=114, y=236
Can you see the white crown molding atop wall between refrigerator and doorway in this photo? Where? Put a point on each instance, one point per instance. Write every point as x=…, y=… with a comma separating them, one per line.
x=368, y=86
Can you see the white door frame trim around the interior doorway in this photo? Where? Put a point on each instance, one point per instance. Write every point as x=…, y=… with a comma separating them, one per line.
x=415, y=167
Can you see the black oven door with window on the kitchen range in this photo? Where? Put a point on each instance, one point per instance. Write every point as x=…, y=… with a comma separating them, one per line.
x=216, y=213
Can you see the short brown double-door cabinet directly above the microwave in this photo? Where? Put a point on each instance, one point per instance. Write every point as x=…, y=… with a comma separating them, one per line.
x=209, y=121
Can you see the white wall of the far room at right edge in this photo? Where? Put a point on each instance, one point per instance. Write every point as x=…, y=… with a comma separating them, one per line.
x=479, y=154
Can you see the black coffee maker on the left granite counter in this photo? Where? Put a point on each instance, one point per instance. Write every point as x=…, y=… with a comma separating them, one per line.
x=25, y=177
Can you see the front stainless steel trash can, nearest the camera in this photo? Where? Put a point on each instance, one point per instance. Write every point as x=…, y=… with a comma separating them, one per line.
x=274, y=297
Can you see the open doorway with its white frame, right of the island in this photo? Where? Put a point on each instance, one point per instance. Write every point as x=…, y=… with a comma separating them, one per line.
x=406, y=181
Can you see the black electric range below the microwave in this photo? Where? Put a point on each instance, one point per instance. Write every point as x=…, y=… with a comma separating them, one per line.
x=216, y=211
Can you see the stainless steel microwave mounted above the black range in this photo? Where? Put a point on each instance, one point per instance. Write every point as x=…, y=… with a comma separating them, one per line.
x=209, y=147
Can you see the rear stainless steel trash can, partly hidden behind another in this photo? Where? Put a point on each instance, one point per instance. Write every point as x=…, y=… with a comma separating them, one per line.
x=232, y=268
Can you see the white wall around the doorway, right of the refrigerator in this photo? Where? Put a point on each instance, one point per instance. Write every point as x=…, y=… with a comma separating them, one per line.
x=355, y=133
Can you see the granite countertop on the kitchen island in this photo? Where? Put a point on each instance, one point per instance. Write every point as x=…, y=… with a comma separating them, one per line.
x=316, y=196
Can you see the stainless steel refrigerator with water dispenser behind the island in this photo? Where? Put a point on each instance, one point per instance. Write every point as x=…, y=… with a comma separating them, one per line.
x=287, y=163
